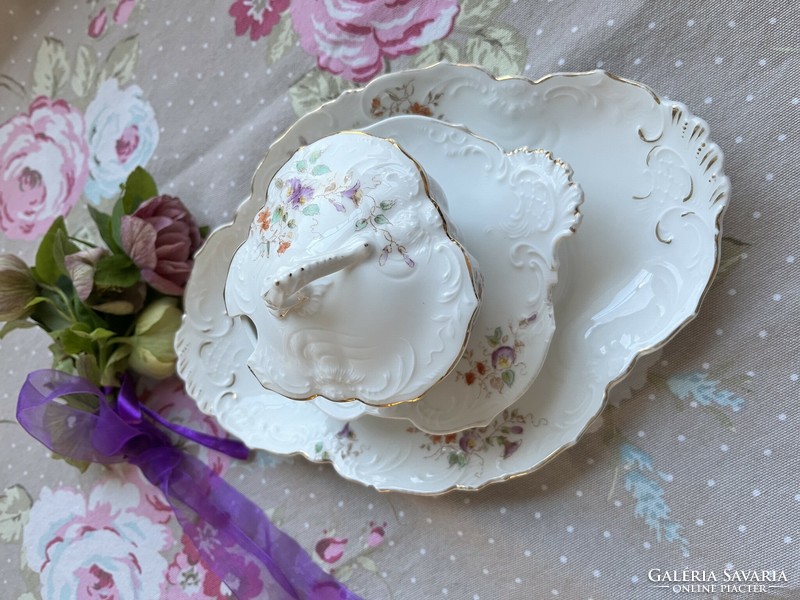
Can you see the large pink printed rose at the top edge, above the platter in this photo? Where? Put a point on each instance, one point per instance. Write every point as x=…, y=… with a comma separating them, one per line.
x=351, y=38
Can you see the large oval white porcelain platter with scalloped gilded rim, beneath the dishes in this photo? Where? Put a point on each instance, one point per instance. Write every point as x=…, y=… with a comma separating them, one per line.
x=647, y=250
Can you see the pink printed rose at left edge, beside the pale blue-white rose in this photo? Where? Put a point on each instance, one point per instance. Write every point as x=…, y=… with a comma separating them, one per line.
x=43, y=167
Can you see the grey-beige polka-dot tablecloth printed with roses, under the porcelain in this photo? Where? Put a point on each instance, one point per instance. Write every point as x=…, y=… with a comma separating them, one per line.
x=696, y=471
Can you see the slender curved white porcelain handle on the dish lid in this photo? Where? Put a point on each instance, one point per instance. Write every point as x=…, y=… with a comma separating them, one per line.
x=284, y=294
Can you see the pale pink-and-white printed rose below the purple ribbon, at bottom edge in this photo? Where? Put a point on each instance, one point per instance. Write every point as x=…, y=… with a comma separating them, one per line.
x=105, y=546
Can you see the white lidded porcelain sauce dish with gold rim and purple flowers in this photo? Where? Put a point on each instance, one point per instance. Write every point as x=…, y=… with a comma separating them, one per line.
x=350, y=276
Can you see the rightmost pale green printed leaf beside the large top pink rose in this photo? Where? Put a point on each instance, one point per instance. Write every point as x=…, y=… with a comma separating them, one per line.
x=500, y=50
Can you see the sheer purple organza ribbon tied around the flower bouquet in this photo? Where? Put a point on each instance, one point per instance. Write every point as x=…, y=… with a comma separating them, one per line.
x=232, y=535
